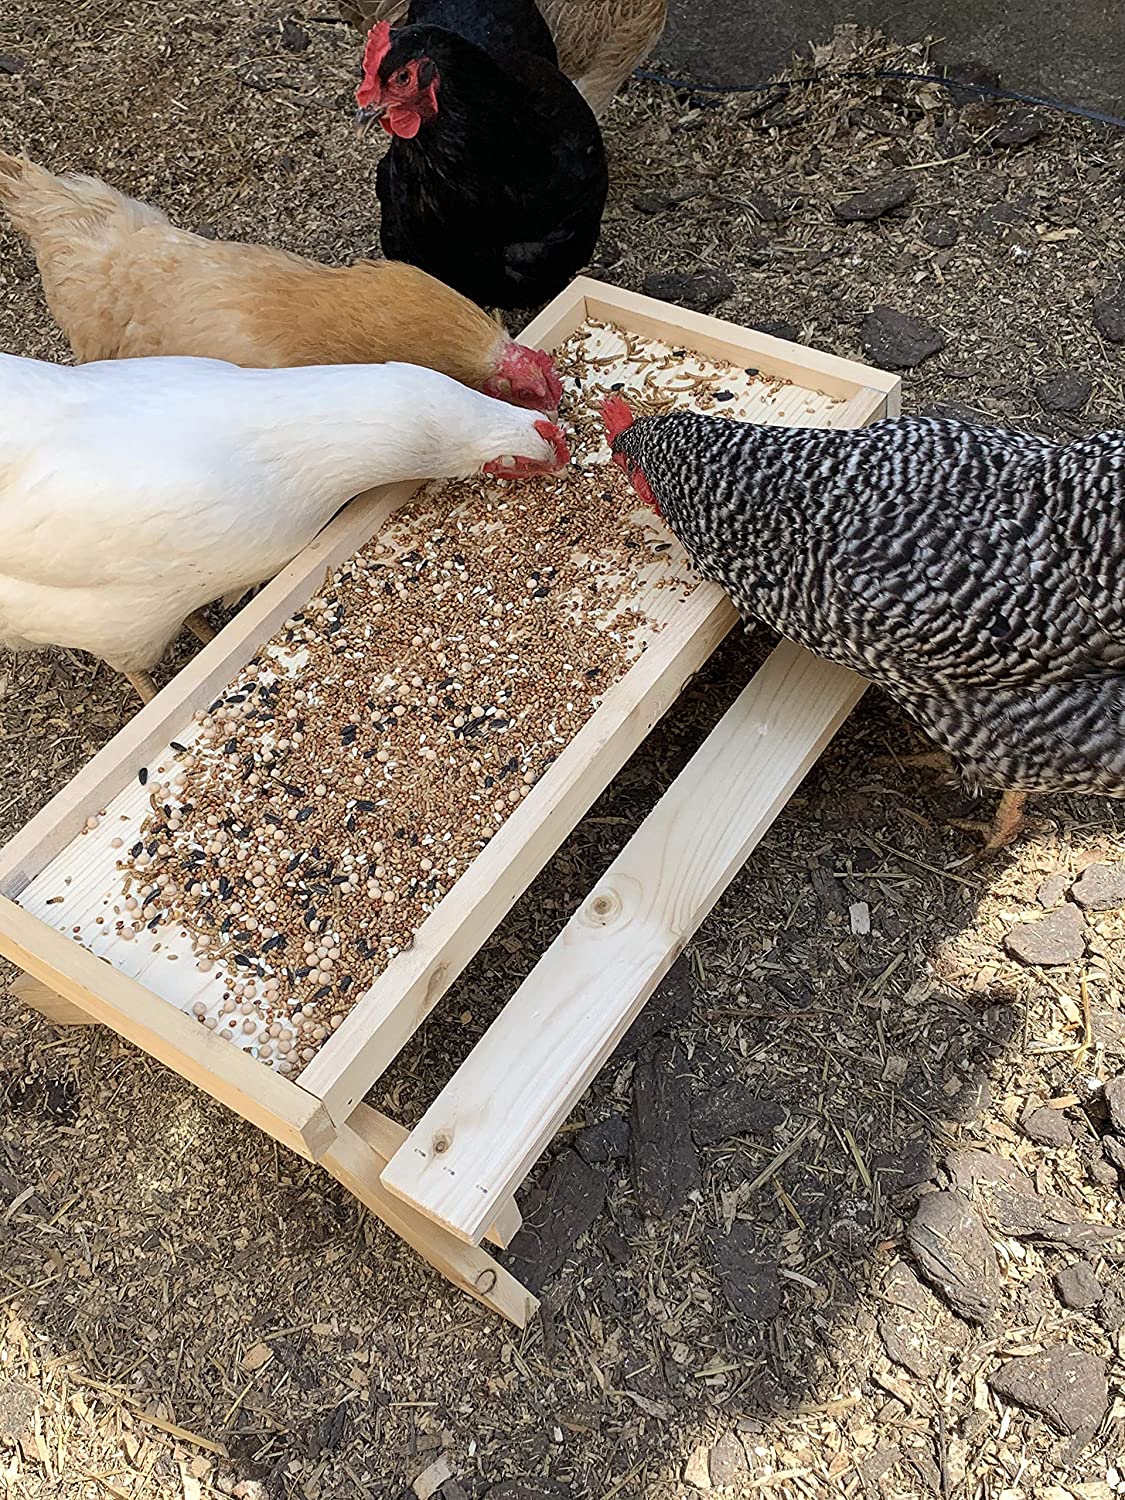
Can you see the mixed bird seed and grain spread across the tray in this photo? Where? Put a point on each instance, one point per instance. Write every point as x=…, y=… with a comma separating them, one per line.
x=314, y=817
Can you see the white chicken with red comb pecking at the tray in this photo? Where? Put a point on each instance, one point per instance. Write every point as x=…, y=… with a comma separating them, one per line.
x=134, y=493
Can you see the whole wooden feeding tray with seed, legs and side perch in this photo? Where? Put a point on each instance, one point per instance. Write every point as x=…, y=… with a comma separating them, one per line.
x=278, y=941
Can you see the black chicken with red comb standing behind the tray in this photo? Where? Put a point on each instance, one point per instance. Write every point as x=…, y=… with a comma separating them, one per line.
x=497, y=176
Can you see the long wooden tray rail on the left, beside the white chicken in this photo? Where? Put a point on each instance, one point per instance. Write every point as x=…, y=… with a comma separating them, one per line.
x=199, y=685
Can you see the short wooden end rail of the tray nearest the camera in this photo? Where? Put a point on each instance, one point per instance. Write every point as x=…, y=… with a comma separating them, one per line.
x=284, y=1109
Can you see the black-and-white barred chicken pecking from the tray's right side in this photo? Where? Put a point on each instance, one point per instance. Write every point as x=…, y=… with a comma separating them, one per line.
x=977, y=577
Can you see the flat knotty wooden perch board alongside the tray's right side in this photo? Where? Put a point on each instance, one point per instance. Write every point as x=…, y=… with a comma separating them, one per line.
x=503, y=1106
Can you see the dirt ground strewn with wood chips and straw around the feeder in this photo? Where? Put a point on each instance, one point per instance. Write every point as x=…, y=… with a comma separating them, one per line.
x=749, y=1280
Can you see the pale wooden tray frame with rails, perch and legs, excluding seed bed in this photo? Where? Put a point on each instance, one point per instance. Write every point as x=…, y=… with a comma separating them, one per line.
x=449, y=1183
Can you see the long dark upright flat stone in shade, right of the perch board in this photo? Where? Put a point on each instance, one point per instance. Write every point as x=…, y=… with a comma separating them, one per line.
x=664, y=1159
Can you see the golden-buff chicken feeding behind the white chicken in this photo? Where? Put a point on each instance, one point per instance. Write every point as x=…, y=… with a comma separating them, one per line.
x=124, y=283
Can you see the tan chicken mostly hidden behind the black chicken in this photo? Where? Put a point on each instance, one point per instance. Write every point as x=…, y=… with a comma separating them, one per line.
x=599, y=43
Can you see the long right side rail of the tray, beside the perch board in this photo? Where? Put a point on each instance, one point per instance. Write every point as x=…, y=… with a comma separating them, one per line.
x=392, y=1010
